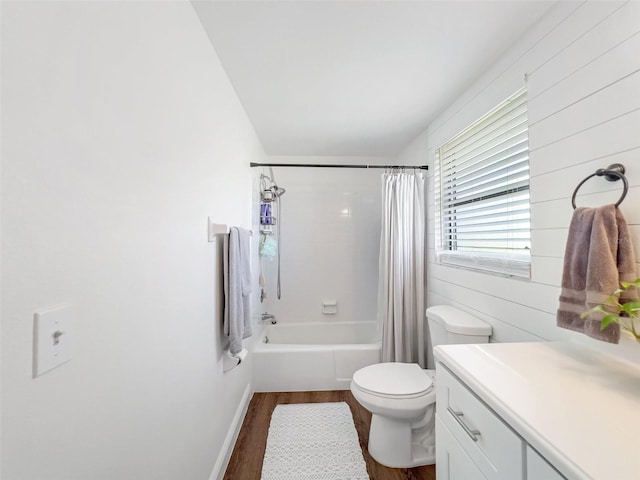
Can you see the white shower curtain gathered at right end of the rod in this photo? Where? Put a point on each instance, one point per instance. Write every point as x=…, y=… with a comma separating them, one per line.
x=401, y=271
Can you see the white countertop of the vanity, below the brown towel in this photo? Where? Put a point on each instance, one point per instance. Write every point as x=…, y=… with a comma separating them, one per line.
x=579, y=408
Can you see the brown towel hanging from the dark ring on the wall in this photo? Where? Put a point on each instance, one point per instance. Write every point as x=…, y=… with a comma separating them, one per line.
x=598, y=256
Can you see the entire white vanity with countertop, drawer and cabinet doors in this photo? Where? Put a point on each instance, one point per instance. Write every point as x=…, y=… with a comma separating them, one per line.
x=535, y=411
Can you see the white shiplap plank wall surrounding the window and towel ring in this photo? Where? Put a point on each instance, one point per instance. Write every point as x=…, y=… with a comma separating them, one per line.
x=582, y=62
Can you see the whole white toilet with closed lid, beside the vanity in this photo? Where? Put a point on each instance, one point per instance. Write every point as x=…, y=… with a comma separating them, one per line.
x=401, y=396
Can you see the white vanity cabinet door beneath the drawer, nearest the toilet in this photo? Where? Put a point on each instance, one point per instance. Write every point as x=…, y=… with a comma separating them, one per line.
x=452, y=462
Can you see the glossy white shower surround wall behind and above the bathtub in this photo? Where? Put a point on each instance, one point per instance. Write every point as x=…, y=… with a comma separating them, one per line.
x=330, y=240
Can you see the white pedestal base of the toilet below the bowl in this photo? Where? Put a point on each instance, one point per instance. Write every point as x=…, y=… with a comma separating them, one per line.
x=399, y=443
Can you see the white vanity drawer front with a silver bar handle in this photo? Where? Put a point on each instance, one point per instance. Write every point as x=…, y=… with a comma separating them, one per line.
x=492, y=445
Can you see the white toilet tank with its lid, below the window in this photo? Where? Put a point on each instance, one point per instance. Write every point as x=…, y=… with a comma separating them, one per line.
x=449, y=325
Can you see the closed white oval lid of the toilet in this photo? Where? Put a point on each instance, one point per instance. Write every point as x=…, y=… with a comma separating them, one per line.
x=393, y=379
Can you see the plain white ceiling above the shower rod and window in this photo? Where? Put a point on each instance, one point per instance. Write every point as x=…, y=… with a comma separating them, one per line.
x=356, y=77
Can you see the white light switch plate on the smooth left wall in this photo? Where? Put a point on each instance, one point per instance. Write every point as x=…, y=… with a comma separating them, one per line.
x=52, y=338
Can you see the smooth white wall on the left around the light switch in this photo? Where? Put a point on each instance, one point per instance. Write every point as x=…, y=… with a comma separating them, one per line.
x=121, y=134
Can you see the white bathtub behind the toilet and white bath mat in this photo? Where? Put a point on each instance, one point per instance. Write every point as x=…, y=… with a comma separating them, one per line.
x=313, y=356
